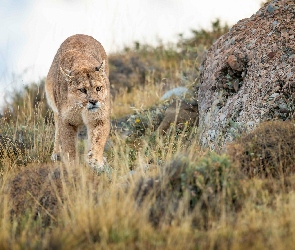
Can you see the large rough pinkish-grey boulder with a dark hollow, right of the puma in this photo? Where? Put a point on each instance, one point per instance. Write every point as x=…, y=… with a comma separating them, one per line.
x=248, y=75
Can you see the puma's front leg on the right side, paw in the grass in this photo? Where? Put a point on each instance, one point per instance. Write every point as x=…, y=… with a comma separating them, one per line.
x=97, y=136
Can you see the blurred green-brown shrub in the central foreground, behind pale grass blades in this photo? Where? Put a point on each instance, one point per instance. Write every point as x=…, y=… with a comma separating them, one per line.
x=206, y=189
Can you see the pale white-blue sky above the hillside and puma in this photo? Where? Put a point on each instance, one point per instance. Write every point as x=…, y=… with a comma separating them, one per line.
x=32, y=30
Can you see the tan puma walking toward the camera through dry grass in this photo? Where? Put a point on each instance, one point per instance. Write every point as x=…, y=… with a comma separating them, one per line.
x=78, y=91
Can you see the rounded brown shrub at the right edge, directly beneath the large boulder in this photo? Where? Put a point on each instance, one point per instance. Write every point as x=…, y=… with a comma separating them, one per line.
x=267, y=151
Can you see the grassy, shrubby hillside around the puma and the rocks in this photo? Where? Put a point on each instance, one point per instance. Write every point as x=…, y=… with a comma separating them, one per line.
x=177, y=196
